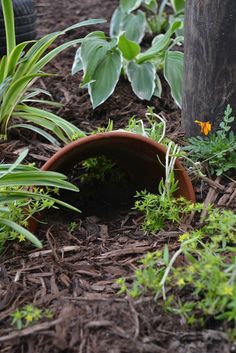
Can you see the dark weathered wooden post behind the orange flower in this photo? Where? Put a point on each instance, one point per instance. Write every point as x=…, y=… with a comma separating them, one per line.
x=210, y=62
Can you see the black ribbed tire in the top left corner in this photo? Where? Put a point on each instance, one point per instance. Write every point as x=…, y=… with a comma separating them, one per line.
x=25, y=23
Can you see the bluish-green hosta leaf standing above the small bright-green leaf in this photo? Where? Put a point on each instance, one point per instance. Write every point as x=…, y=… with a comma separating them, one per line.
x=134, y=26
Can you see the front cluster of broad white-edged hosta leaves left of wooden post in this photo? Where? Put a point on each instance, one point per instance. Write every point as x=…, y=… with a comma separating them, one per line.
x=103, y=60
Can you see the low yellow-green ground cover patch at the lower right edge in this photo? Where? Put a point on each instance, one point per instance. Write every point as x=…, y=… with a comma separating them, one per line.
x=206, y=276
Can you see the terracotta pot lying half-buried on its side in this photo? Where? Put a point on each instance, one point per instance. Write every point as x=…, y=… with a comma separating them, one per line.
x=136, y=154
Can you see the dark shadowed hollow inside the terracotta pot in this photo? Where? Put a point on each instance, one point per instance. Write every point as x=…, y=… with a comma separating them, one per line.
x=105, y=188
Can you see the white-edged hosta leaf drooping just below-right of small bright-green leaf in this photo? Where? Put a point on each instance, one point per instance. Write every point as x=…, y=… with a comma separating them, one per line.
x=142, y=78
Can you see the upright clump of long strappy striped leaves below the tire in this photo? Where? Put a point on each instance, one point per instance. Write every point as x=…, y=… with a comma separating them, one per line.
x=22, y=65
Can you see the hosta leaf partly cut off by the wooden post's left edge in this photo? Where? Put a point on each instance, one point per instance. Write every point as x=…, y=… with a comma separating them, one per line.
x=173, y=72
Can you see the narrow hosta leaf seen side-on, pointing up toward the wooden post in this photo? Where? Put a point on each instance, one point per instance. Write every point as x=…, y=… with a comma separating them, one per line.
x=160, y=43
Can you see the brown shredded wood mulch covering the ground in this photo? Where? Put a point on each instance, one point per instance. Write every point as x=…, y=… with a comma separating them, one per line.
x=74, y=275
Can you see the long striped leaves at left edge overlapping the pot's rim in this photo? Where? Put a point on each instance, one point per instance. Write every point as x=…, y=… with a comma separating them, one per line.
x=24, y=191
